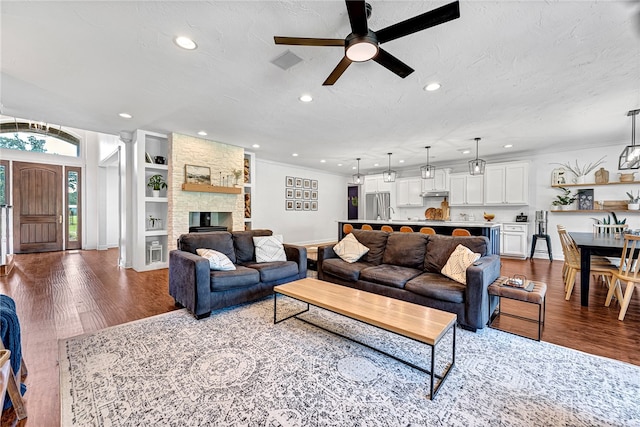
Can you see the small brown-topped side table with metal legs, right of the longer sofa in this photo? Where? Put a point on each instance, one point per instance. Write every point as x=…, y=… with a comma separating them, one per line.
x=535, y=296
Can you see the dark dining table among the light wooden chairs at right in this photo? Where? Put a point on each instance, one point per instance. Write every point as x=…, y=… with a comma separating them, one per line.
x=594, y=244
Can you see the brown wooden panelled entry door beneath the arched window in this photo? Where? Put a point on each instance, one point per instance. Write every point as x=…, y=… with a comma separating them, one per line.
x=37, y=200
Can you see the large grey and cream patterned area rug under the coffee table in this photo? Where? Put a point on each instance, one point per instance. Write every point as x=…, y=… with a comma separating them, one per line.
x=237, y=368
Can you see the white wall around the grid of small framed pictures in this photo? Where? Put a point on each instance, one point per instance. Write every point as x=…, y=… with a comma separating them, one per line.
x=301, y=227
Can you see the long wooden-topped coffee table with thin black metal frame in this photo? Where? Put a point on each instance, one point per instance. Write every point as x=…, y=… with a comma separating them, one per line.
x=423, y=324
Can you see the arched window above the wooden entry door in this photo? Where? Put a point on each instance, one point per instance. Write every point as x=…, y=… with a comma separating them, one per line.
x=38, y=137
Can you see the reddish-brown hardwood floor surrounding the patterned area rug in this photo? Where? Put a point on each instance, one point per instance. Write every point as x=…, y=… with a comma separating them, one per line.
x=63, y=294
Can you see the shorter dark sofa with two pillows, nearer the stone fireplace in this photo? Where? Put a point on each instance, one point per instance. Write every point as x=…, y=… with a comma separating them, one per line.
x=195, y=286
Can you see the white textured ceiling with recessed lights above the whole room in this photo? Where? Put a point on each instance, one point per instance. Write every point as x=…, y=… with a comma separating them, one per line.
x=539, y=75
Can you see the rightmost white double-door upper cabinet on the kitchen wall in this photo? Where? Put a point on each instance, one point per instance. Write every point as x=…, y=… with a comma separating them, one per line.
x=507, y=184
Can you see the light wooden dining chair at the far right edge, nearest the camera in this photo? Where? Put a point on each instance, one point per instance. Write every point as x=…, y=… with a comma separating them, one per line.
x=627, y=272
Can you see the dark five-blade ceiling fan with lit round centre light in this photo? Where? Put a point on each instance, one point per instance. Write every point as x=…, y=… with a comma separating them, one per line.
x=363, y=44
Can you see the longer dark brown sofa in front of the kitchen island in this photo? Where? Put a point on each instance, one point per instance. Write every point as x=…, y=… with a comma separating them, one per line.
x=407, y=266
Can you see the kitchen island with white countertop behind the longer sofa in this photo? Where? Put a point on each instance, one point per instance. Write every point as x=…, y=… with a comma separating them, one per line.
x=477, y=228
